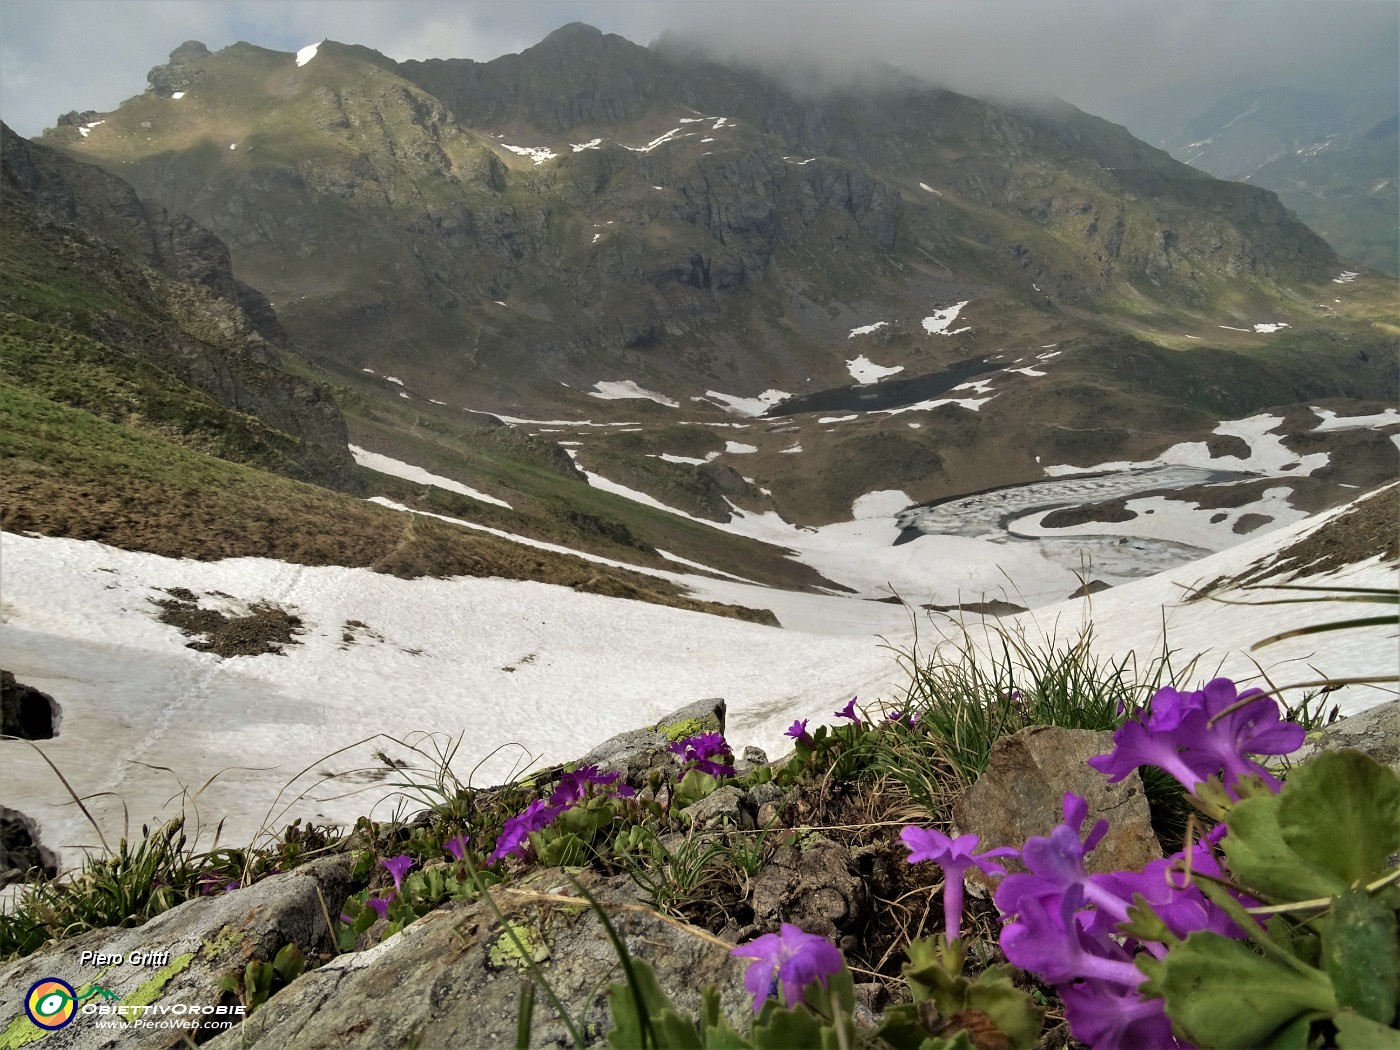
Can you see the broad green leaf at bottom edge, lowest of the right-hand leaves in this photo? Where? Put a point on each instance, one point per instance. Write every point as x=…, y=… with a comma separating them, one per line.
x=1226, y=996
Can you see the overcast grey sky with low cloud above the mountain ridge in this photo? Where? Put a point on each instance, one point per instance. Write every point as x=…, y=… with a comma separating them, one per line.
x=1139, y=62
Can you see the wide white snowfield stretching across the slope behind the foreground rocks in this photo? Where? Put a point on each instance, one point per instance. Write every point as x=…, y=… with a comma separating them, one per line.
x=514, y=674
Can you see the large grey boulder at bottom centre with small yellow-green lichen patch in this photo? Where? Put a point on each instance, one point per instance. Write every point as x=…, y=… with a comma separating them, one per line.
x=453, y=979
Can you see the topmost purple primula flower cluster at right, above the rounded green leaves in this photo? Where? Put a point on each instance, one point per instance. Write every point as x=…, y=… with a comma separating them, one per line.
x=1202, y=734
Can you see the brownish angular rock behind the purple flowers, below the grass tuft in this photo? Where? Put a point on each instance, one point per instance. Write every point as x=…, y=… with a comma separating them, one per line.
x=1023, y=794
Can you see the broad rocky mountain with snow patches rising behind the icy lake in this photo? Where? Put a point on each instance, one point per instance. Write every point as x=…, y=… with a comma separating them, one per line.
x=736, y=302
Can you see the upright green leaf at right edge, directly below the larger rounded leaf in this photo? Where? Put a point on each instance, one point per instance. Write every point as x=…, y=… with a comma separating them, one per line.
x=1363, y=955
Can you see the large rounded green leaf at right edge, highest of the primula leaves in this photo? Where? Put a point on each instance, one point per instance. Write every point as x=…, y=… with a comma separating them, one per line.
x=1342, y=813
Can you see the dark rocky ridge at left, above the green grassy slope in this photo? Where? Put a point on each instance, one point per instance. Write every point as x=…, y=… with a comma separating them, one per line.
x=159, y=289
